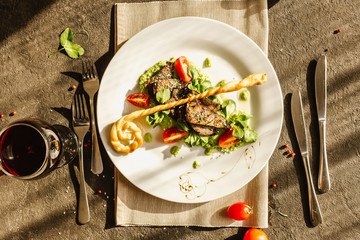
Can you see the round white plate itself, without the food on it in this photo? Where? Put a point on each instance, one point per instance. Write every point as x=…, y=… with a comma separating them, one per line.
x=234, y=56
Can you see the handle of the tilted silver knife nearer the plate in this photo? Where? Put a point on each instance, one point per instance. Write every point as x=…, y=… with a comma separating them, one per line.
x=315, y=212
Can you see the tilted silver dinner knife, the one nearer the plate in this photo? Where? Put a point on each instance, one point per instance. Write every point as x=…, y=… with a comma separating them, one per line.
x=300, y=132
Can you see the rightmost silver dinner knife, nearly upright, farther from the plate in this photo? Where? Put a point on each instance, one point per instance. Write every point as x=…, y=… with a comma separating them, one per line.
x=320, y=94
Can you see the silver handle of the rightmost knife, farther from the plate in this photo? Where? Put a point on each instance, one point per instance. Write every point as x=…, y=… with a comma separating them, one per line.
x=324, y=178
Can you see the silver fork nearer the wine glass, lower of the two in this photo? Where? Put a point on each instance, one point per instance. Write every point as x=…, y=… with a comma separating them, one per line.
x=81, y=124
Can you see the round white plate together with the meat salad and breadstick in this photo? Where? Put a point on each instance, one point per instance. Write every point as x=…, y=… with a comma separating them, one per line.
x=180, y=115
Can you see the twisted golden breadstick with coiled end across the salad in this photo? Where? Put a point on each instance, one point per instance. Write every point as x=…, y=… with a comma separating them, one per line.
x=125, y=130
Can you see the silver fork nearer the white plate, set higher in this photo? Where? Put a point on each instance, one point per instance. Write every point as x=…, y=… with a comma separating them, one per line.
x=91, y=86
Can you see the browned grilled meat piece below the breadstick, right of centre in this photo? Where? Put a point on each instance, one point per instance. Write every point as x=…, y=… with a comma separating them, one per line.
x=201, y=115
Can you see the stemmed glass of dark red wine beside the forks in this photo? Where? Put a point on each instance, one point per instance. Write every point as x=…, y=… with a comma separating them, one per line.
x=31, y=148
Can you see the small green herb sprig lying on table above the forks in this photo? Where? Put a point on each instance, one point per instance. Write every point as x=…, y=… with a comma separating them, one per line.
x=73, y=50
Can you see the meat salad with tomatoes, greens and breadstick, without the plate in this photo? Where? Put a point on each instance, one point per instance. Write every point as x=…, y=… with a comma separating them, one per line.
x=188, y=108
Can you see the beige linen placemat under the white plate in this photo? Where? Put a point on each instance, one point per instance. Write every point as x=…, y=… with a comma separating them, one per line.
x=133, y=207
